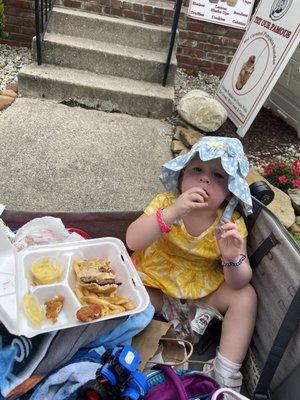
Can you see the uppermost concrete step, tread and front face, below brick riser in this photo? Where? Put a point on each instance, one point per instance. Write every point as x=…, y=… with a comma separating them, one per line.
x=122, y=31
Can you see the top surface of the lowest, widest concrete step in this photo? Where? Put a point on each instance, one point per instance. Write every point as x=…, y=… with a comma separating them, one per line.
x=108, y=82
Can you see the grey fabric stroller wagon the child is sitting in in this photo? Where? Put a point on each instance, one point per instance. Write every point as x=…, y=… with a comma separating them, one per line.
x=272, y=367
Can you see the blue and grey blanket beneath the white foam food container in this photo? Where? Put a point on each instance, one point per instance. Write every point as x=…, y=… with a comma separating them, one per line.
x=21, y=357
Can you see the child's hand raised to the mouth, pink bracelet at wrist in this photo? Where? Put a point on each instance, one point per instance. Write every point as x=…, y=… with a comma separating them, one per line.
x=192, y=199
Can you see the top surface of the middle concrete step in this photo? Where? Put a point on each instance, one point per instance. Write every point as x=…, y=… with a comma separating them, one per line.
x=110, y=48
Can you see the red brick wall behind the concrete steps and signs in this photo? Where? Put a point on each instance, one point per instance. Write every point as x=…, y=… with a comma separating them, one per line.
x=204, y=46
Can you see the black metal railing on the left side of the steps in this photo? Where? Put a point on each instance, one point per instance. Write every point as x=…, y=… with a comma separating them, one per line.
x=43, y=10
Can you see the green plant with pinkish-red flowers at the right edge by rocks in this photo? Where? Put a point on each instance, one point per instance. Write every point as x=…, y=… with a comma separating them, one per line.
x=282, y=175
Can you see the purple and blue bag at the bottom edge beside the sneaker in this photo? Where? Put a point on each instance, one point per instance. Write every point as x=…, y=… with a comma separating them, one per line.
x=167, y=384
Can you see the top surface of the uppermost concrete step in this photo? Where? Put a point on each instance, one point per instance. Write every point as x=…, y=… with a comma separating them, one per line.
x=112, y=19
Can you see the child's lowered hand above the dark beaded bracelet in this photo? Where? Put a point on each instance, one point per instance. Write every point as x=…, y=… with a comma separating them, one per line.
x=229, y=240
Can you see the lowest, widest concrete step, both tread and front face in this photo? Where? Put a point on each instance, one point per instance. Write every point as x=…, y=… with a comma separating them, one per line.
x=102, y=92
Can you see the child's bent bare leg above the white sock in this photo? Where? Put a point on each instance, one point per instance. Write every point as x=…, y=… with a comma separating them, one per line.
x=239, y=310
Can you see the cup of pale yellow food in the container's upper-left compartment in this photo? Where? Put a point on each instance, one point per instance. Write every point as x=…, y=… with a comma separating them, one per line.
x=45, y=271
